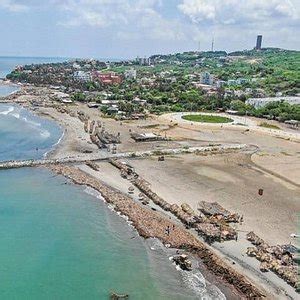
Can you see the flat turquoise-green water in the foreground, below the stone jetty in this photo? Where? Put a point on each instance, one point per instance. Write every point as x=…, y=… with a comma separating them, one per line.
x=57, y=242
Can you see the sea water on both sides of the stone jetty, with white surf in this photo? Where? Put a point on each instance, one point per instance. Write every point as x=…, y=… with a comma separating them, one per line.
x=61, y=241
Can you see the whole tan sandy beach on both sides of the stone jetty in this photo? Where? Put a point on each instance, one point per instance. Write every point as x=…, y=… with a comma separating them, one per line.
x=270, y=162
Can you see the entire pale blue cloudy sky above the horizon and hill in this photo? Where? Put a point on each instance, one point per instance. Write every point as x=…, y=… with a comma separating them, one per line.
x=130, y=28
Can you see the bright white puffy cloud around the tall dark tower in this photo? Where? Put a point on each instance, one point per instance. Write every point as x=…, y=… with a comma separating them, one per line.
x=237, y=22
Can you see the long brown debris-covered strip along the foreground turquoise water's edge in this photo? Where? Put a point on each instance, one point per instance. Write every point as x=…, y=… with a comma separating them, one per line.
x=151, y=224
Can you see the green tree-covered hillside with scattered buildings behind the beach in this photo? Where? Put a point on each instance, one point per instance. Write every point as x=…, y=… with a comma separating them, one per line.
x=171, y=83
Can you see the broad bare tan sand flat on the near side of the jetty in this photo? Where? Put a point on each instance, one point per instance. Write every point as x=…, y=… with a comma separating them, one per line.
x=230, y=180
